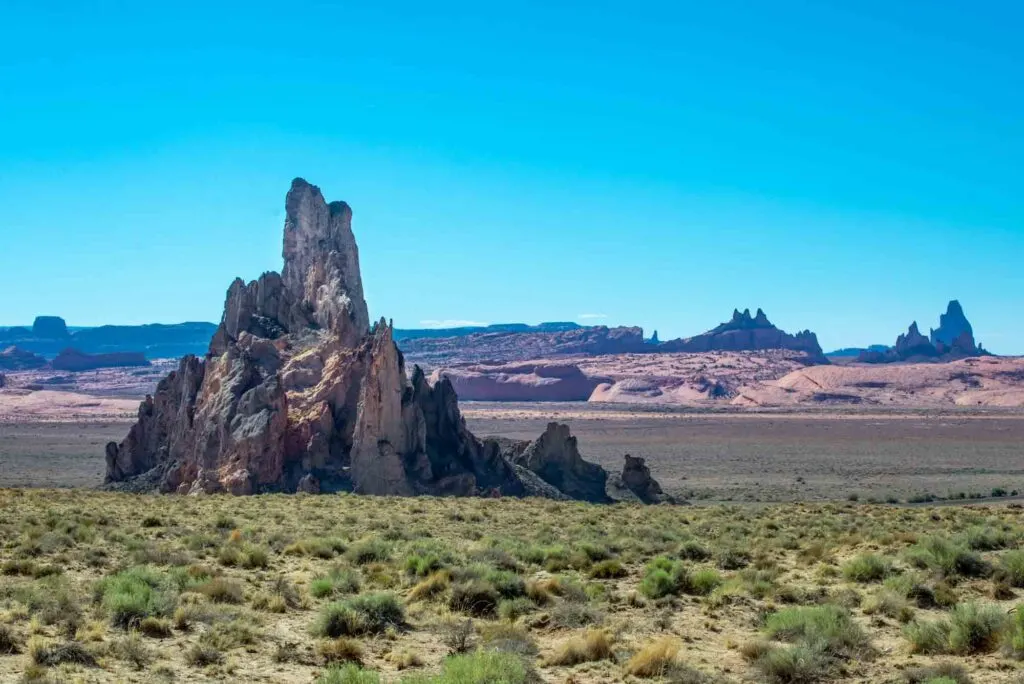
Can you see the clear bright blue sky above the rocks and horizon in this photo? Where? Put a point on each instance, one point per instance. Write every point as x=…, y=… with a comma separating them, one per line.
x=847, y=166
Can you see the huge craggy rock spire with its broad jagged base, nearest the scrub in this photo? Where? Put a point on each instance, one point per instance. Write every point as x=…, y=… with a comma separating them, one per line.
x=298, y=394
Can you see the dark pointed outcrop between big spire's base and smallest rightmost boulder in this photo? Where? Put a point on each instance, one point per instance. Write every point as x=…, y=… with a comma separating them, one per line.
x=556, y=457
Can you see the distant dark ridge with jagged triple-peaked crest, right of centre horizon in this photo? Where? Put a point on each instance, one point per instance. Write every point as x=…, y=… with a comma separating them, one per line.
x=747, y=333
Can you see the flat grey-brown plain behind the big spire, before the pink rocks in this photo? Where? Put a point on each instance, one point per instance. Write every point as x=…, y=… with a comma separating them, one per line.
x=702, y=456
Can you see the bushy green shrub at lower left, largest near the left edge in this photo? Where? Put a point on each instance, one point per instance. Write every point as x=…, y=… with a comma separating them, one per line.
x=132, y=596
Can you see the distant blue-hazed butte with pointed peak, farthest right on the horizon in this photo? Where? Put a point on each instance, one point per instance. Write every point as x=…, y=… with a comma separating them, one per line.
x=953, y=340
